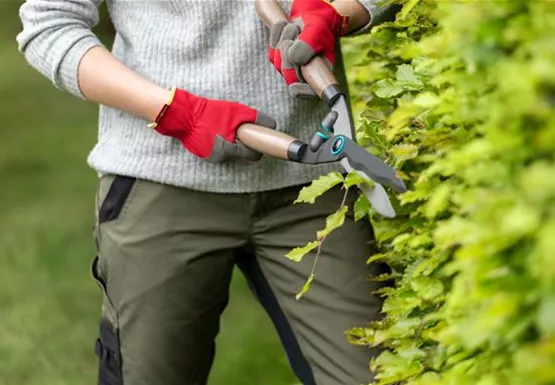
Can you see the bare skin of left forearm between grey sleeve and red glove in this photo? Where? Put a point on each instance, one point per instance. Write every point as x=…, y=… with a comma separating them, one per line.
x=105, y=80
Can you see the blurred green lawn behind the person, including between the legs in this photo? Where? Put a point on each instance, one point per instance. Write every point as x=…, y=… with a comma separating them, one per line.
x=49, y=306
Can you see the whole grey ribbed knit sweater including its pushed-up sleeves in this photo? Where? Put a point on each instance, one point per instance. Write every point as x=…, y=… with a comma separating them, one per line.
x=213, y=48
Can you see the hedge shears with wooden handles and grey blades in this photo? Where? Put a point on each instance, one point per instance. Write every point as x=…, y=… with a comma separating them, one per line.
x=334, y=139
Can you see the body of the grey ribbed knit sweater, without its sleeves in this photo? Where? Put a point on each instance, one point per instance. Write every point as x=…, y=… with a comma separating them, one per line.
x=216, y=49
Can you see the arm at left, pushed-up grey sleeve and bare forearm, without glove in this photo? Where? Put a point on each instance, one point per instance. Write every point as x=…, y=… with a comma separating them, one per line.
x=58, y=41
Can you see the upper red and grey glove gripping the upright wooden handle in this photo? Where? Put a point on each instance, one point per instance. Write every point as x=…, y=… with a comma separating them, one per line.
x=313, y=29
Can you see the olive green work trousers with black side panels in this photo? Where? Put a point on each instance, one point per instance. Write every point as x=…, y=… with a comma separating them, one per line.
x=165, y=261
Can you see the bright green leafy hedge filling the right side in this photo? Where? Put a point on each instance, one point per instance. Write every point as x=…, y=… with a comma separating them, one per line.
x=460, y=96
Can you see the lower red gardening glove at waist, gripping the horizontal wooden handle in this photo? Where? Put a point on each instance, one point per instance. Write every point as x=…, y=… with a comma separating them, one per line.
x=207, y=128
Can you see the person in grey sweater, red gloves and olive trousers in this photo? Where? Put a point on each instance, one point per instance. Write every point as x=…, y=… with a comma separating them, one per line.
x=181, y=202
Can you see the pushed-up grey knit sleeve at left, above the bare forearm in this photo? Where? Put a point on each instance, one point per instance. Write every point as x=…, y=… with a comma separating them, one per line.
x=56, y=34
